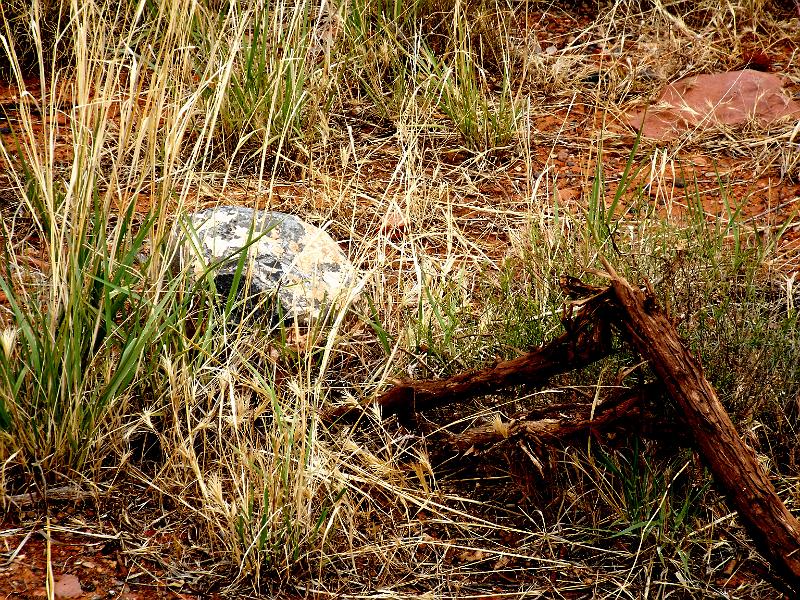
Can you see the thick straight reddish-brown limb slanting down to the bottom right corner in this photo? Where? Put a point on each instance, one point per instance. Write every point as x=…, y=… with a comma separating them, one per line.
x=734, y=464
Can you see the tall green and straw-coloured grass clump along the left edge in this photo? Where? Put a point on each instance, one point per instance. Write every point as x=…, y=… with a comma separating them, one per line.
x=83, y=321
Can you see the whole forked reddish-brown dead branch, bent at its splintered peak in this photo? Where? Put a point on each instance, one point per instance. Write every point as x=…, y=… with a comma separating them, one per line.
x=587, y=339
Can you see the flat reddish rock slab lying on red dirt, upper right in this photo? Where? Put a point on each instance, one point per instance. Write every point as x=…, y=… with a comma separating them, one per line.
x=710, y=100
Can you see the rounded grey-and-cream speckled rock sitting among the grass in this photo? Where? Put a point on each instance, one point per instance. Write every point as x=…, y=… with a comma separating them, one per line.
x=296, y=264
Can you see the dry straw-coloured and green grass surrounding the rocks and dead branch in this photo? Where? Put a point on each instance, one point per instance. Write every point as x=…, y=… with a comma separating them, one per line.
x=435, y=140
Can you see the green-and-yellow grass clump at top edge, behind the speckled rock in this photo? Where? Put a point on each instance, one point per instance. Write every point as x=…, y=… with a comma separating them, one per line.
x=272, y=80
